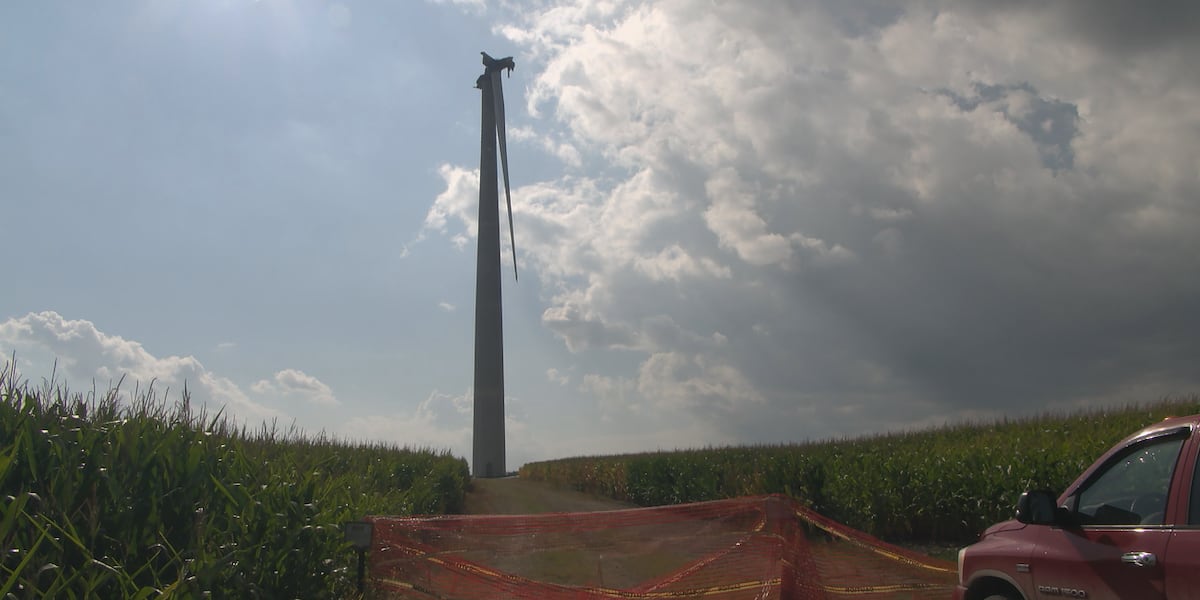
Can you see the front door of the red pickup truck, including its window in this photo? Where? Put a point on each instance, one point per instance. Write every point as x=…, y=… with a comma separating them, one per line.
x=1117, y=548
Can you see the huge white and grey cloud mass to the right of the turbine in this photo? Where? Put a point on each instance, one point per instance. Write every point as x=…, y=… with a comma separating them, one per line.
x=933, y=211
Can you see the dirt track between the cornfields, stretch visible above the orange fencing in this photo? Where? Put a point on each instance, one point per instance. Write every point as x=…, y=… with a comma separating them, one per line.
x=517, y=496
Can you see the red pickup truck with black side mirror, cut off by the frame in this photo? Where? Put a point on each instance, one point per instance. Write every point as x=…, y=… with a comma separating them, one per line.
x=1129, y=529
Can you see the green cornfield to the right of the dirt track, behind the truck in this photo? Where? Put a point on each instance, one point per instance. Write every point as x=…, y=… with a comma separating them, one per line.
x=939, y=487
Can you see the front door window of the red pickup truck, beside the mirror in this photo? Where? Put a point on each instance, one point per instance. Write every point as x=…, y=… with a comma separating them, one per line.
x=1132, y=488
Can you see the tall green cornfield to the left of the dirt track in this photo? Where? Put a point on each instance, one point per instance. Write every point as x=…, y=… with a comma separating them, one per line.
x=104, y=497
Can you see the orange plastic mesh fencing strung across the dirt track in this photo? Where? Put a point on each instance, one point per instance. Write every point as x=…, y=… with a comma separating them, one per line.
x=764, y=548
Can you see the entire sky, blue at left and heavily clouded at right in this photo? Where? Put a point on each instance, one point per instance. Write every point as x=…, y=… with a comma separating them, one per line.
x=736, y=223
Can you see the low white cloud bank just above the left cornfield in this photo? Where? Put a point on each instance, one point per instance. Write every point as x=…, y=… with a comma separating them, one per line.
x=86, y=355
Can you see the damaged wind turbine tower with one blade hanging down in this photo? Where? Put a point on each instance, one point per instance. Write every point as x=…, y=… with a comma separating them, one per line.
x=488, y=452
